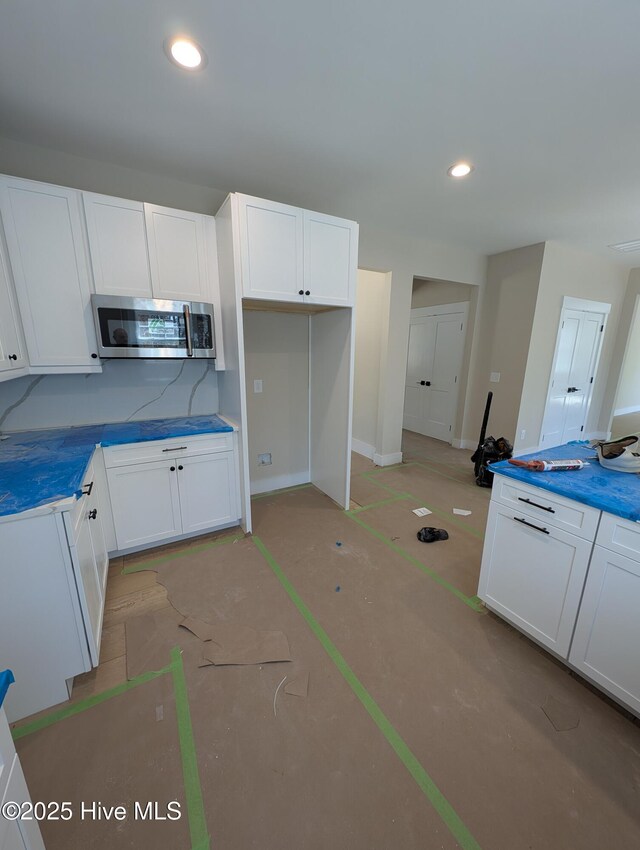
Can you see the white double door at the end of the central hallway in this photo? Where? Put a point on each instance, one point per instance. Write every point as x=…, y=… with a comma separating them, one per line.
x=436, y=345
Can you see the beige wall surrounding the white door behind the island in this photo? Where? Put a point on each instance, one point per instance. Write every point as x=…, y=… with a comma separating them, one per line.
x=566, y=271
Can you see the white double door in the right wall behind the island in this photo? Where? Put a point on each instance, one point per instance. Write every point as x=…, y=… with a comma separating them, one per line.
x=577, y=353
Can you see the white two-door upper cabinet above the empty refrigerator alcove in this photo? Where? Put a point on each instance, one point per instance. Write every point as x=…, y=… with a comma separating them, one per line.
x=290, y=254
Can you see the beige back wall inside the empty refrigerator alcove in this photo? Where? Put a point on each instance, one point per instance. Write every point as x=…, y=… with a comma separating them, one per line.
x=277, y=352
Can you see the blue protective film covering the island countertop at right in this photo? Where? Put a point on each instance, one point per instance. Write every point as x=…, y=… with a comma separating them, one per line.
x=614, y=492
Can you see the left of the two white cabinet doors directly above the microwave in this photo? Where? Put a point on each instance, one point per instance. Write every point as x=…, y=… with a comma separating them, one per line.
x=118, y=245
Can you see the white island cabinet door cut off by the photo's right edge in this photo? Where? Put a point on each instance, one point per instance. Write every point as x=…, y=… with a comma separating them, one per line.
x=607, y=636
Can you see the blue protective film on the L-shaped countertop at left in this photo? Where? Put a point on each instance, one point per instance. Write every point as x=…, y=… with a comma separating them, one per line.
x=39, y=467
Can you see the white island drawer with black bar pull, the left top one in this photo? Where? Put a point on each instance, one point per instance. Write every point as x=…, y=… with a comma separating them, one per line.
x=551, y=509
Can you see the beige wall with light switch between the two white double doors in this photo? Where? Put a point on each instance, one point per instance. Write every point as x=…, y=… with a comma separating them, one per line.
x=503, y=328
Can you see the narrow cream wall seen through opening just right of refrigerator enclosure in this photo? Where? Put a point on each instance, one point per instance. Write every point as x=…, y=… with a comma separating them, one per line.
x=372, y=321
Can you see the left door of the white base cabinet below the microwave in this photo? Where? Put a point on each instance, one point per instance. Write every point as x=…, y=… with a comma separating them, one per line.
x=145, y=502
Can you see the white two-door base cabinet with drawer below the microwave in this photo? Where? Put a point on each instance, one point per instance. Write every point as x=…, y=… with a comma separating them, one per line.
x=163, y=496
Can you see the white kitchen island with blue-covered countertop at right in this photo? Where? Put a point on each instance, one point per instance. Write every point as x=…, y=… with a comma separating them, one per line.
x=561, y=562
